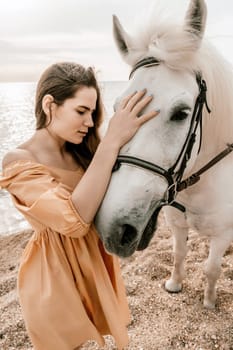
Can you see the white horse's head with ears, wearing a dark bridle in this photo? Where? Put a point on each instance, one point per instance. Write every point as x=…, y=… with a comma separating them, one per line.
x=162, y=63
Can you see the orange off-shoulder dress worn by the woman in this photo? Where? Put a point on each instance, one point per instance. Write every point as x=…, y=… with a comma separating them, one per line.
x=70, y=288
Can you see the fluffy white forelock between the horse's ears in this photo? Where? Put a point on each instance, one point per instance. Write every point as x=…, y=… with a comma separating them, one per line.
x=173, y=43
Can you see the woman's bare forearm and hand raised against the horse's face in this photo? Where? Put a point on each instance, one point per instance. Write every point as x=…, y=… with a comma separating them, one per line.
x=89, y=192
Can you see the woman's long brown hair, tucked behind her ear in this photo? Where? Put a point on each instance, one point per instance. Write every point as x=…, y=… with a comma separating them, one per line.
x=62, y=81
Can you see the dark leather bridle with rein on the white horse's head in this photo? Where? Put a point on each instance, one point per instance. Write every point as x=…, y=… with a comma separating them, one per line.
x=174, y=174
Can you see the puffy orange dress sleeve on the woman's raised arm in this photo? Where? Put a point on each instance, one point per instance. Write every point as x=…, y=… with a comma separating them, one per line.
x=38, y=195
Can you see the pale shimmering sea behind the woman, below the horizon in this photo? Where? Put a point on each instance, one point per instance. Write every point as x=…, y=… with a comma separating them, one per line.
x=17, y=124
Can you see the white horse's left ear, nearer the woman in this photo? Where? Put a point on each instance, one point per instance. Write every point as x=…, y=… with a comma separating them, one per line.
x=122, y=39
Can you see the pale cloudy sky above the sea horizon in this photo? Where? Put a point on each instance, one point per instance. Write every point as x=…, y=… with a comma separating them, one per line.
x=37, y=33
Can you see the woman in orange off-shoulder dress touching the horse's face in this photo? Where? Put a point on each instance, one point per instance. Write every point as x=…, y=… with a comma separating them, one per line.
x=70, y=289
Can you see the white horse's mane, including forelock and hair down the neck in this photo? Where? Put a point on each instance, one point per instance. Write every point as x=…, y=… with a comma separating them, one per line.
x=175, y=46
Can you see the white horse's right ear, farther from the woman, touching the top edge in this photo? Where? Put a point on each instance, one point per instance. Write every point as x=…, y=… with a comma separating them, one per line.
x=195, y=19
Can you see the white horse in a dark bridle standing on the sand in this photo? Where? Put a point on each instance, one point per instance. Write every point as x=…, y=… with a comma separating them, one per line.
x=173, y=62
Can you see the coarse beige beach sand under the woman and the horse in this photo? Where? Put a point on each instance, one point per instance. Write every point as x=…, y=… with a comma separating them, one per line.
x=160, y=321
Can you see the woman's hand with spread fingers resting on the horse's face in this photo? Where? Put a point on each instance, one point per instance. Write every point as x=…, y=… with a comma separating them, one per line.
x=125, y=122
